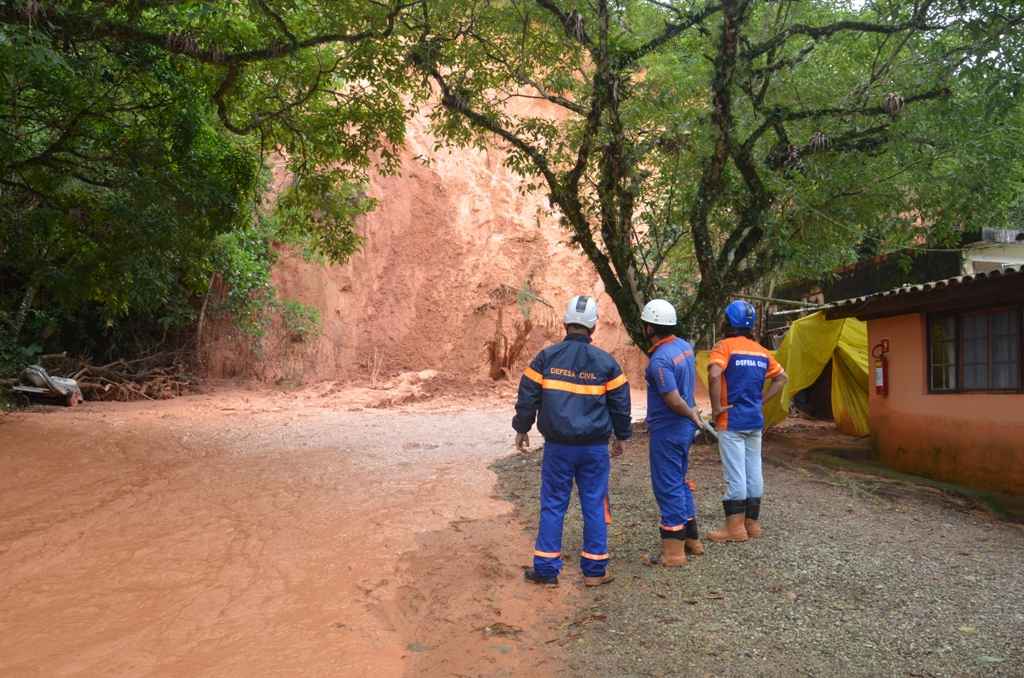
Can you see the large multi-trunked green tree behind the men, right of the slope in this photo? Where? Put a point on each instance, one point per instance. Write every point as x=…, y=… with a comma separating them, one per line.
x=696, y=149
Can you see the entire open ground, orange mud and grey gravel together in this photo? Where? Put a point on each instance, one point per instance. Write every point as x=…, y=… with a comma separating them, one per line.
x=350, y=531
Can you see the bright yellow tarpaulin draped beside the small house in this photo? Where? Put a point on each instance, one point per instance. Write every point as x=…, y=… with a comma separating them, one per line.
x=814, y=345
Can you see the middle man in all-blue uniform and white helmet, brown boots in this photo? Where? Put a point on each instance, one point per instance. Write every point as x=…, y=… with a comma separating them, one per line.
x=673, y=420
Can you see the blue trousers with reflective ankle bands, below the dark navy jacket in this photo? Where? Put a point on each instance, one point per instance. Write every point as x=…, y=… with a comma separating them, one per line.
x=589, y=465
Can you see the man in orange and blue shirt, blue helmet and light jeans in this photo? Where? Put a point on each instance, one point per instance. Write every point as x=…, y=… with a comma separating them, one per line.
x=737, y=374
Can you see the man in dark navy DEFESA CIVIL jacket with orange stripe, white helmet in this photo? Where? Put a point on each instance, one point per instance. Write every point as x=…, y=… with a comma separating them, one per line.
x=579, y=397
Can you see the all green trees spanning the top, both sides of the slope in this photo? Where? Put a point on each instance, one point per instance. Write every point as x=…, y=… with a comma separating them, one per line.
x=693, y=149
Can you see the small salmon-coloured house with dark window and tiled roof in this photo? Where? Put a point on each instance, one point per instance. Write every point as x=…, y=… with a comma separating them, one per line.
x=947, y=394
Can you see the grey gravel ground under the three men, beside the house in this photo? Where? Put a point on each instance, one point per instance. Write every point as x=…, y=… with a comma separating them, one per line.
x=856, y=576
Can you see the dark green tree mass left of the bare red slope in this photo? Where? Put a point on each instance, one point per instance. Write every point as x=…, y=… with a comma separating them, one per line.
x=135, y=140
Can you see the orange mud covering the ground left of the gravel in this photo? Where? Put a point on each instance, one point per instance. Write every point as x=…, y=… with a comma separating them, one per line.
x=262, y=534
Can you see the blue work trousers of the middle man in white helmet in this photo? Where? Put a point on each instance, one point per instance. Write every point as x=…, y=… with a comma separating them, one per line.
x=670, y=457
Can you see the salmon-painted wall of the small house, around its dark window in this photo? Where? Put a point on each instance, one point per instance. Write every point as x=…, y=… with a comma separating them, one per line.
x=975, y=440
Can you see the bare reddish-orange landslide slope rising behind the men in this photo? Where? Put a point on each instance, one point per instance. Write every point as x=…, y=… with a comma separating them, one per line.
x=446, y=236
